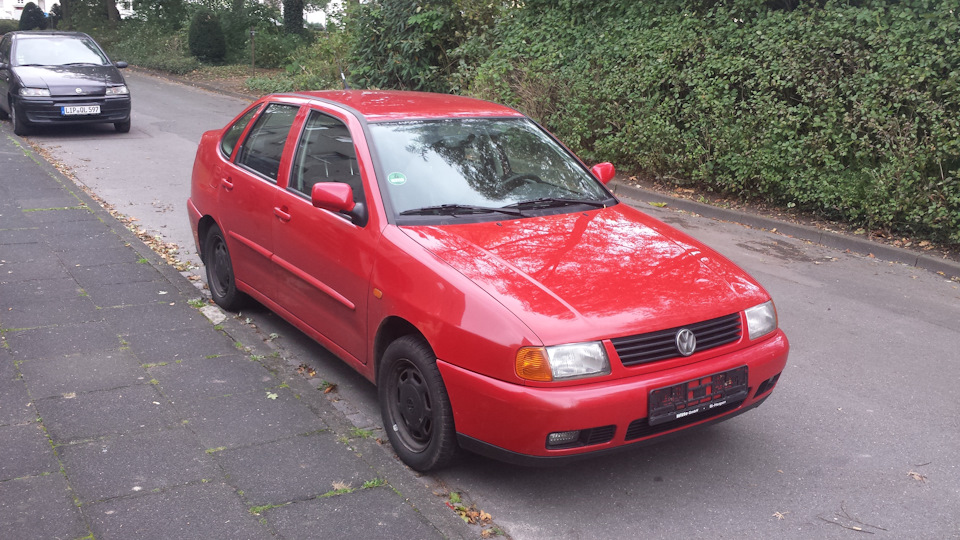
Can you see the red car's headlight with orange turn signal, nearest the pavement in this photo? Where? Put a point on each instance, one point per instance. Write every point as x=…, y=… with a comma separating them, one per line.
x=562, y=362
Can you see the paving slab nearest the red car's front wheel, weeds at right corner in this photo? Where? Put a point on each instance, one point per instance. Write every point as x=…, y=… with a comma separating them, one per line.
x=293, y=469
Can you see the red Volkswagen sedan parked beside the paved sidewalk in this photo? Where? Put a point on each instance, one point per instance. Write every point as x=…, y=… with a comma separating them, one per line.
x=463, y=260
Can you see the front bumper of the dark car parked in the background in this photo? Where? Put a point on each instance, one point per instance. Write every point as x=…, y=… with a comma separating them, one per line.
x=49, y=111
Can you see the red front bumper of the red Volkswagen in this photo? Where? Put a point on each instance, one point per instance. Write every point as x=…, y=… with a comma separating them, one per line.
x=511, y=422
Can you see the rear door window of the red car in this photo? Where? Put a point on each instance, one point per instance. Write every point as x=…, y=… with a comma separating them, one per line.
x=263, y=147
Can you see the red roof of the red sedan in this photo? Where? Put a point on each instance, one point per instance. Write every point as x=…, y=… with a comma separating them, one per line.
x=392, y=105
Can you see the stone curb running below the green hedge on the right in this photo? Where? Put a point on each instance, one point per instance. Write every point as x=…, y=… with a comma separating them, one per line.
x=825, y=238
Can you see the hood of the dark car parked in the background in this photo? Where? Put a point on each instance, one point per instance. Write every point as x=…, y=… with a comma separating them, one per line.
x=65, y=80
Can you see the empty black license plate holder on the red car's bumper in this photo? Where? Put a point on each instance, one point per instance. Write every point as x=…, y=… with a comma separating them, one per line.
x=697, y=396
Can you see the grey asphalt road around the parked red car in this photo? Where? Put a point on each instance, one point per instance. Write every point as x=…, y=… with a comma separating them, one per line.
x=862, y=434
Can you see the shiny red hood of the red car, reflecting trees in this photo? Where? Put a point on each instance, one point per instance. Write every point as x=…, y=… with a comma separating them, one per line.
x=596, y=274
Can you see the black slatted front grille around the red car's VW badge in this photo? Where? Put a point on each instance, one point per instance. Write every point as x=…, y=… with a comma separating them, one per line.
x=660, y=345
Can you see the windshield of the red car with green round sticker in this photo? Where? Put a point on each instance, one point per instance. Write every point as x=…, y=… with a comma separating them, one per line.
x=464, y=166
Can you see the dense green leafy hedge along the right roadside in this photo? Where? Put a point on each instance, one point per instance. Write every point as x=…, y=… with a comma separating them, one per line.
x=848, y=109
